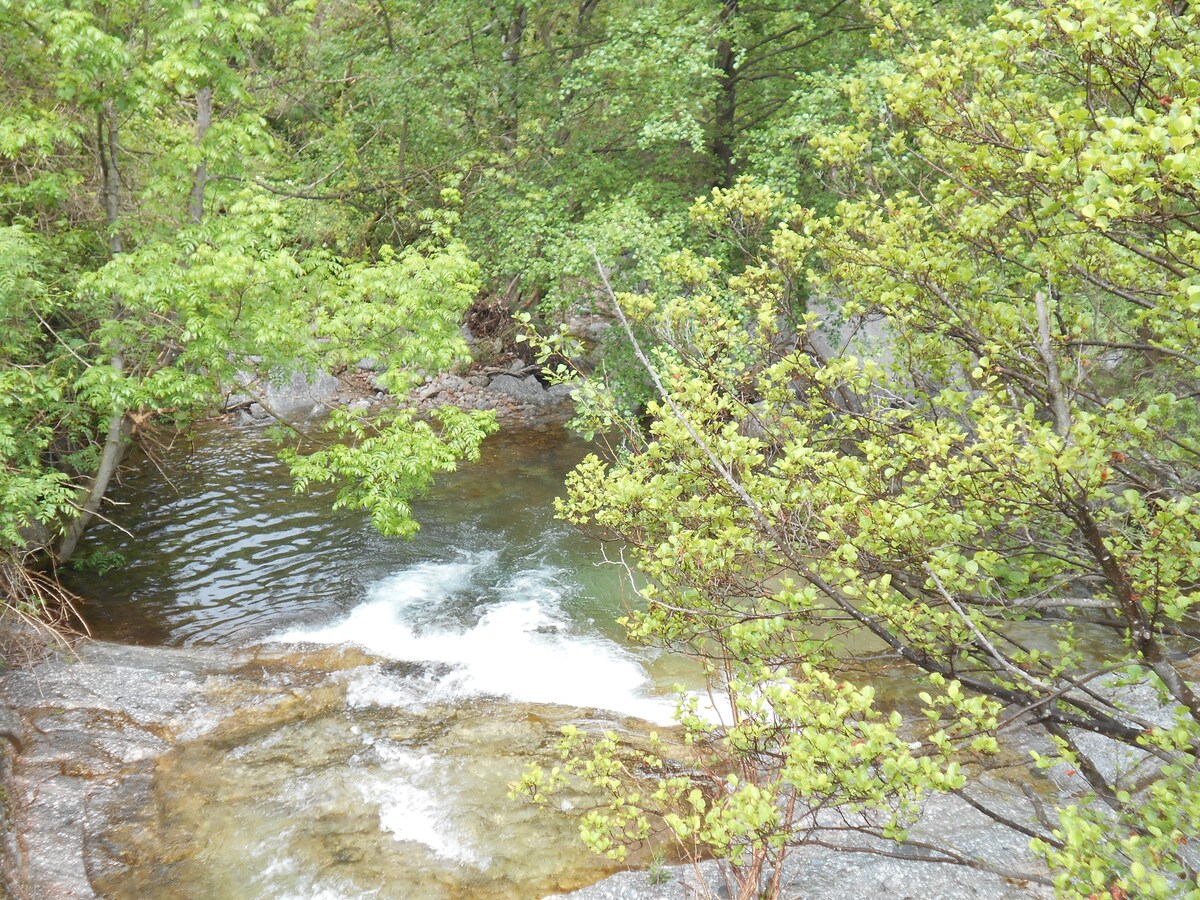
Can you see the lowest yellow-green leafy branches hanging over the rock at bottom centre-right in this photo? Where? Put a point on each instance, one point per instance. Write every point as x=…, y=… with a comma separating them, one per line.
x=800, y=749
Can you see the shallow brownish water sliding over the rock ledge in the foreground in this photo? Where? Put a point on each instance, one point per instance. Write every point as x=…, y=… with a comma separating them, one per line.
x=302, y=791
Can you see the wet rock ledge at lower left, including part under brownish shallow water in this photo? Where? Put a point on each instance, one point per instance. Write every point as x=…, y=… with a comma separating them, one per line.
x=157, y=772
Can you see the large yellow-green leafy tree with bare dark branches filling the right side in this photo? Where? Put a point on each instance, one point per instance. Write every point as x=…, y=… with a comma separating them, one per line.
x=1000, y=491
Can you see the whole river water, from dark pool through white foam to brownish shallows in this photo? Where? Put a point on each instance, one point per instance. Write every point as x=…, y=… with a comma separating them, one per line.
x=379, y=695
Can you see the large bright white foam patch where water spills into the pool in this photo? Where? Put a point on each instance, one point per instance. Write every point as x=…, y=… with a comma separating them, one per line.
x=523, y=649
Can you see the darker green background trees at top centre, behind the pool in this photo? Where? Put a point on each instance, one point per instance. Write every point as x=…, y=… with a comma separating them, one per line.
x=562, y=124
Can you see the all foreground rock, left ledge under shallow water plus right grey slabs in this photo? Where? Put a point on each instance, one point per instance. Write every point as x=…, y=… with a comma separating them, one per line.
x=140, y=769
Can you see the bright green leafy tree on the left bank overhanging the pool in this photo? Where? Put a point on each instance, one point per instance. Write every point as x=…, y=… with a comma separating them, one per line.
x=134, y=146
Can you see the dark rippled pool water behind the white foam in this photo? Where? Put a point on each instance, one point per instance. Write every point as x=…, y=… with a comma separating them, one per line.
x=227, y=554
